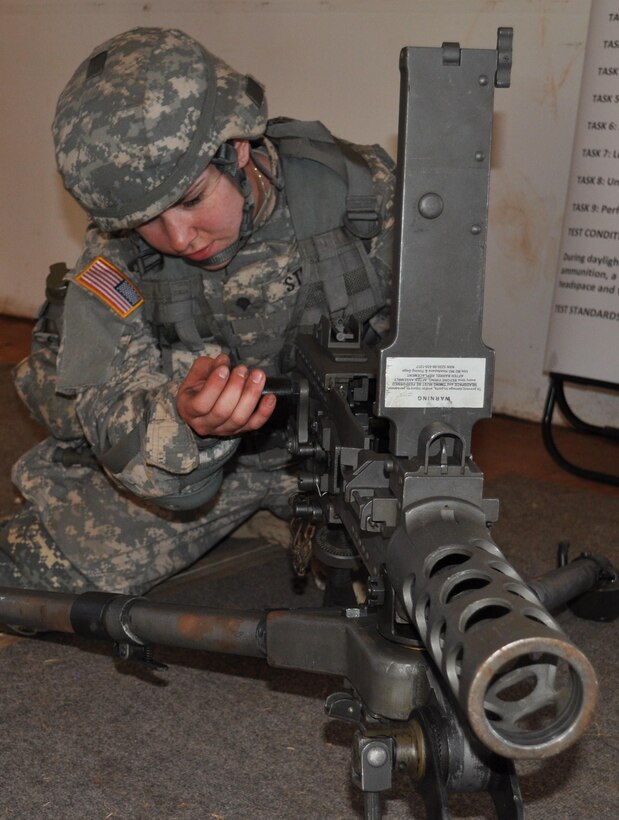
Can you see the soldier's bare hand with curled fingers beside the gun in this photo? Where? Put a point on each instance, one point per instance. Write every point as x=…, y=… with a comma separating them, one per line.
x=217, y=400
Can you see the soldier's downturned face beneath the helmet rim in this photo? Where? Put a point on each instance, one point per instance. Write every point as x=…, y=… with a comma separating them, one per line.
x=204, y=222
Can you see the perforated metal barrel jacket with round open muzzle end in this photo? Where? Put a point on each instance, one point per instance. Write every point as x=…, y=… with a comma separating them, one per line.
x=526, y=690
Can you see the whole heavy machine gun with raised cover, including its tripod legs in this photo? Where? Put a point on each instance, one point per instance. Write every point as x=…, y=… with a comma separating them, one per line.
x=455, y=666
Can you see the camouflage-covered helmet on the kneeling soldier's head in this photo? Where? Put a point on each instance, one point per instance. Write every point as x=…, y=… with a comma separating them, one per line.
x=141, y=119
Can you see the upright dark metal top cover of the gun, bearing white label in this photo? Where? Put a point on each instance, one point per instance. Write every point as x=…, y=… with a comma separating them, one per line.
x=436, y=366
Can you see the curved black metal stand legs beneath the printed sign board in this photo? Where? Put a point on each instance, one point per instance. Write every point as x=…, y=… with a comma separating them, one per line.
x=556, y=398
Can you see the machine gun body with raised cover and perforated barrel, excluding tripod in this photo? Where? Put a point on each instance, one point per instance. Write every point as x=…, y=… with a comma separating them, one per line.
x=411, y=502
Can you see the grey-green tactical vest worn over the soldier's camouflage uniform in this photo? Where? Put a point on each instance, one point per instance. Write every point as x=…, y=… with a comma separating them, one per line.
x=335, y=213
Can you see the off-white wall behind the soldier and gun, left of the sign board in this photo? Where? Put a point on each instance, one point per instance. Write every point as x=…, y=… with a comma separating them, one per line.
x=336, y=60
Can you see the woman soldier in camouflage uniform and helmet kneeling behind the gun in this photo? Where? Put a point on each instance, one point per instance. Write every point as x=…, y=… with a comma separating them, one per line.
x=214, y=236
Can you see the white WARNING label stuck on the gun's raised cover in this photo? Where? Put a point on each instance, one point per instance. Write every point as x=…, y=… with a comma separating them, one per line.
x=434, y=382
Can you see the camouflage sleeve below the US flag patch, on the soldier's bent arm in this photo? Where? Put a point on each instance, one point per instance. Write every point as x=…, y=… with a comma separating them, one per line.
x=125, y=403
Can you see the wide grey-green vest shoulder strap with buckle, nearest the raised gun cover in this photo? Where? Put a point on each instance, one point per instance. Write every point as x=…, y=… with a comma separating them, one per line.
x=335, y=212
